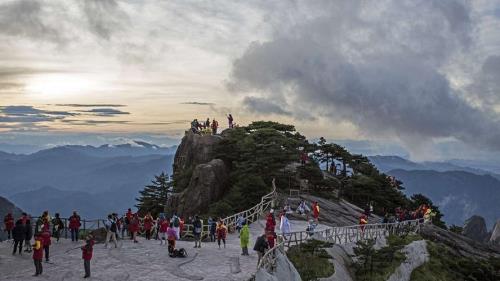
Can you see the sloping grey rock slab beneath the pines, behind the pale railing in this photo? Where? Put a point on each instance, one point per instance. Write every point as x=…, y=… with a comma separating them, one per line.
x=333, y=213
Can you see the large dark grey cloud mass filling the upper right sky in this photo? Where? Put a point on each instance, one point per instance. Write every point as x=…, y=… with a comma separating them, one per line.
x=376, y=66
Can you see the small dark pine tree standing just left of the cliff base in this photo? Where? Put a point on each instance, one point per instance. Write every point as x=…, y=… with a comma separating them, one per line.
x=154, y=196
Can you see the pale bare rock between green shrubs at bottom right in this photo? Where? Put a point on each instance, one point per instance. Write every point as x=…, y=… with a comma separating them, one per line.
x=416, y=255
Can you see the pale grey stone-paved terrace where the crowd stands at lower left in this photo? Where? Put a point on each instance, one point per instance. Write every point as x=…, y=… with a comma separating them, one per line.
x=146, y=260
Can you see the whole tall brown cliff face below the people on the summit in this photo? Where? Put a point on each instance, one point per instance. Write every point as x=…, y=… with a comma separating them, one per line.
x=206, y=179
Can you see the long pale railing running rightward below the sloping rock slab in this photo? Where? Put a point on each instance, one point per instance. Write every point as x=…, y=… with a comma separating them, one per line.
x=337, y=235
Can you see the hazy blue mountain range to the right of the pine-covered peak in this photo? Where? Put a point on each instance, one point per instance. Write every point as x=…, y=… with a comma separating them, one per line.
x=459, y=191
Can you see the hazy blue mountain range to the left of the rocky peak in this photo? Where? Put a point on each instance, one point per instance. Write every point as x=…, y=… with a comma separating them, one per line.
x=93, y=180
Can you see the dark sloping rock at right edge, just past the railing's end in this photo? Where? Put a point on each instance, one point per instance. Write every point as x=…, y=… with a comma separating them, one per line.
x=459, y=244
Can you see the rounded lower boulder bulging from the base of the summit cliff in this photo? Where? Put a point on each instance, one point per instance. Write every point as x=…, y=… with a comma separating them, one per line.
x=207, y=185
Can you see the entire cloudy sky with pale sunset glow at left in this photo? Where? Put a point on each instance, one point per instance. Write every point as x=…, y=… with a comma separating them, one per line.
x=413, y=78
